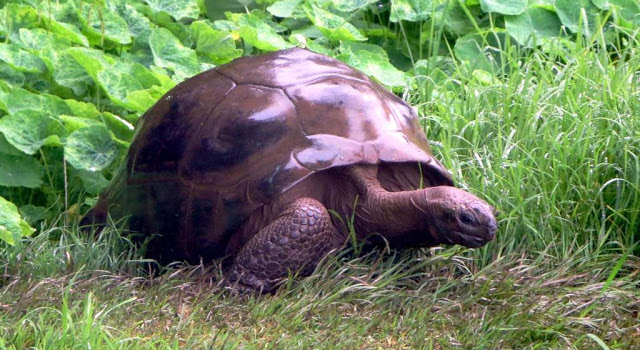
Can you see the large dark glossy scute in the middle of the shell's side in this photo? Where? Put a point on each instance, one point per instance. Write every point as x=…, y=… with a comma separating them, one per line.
x=232, y=144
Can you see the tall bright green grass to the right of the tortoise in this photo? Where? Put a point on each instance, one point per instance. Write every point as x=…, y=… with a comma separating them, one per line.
x=553, y=144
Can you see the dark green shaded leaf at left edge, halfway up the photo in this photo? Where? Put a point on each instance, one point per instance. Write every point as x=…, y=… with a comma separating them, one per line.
x=20, y=170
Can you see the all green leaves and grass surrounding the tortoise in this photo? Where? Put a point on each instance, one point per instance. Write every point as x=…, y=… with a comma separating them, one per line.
x=534, y=105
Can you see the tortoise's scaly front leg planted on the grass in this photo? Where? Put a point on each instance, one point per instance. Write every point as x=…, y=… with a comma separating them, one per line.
x=294, y=242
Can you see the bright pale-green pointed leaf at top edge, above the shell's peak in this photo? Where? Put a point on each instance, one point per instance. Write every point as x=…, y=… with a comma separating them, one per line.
x=333, y=27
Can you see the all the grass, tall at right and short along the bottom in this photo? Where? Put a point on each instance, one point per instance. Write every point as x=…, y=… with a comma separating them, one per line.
x=553, y=144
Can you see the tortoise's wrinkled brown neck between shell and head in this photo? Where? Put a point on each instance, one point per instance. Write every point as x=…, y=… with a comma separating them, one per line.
x=404, y=218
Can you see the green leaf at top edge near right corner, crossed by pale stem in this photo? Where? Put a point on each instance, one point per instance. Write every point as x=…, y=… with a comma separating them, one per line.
x=571, y=15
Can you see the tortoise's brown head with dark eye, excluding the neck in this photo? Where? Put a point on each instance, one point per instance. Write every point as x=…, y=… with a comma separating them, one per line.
x=459, y=217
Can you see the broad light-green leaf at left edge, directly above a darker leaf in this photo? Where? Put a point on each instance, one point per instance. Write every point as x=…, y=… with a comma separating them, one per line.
x=28, y=130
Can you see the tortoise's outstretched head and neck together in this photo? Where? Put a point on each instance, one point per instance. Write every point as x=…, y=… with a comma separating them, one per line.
x=422, y=217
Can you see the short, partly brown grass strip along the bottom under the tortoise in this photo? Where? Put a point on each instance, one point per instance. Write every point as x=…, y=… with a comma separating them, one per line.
x=428, y=299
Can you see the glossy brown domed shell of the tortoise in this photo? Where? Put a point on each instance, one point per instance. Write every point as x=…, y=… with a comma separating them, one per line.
x=229, y=140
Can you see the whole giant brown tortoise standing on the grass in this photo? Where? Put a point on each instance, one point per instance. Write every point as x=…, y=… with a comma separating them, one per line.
x=246, y=160
